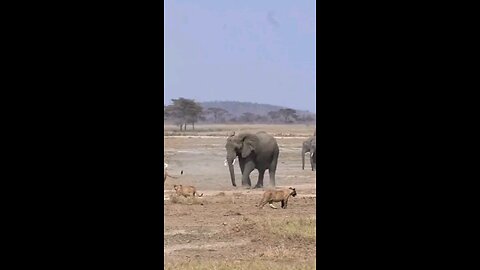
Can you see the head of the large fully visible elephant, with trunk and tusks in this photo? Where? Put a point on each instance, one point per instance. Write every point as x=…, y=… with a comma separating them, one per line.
x=241, y=145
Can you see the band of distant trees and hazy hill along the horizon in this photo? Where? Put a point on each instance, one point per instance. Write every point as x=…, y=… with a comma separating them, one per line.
x=183, y=112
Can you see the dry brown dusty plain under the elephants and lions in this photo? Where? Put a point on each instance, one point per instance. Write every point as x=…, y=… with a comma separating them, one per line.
x=223, y=229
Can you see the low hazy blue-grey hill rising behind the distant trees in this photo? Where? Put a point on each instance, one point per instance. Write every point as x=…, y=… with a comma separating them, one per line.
x=237, y=108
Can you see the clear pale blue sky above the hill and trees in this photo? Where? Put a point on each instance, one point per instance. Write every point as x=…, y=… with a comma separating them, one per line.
x=259, y=51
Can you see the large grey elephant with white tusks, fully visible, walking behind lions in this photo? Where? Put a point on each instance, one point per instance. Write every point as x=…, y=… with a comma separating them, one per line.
x=254, y=151
